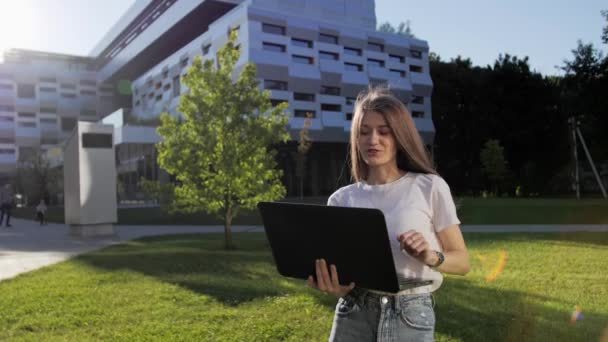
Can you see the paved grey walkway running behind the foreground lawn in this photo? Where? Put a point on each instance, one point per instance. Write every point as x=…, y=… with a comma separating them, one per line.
x=27, y=246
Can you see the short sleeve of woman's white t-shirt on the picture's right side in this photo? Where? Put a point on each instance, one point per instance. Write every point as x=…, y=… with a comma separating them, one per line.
x=444, y=209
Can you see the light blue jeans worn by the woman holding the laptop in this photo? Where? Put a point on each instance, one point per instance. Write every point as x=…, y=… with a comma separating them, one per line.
x=366, y=316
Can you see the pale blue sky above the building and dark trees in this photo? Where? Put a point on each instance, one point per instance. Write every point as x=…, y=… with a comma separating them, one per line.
x=544, y=30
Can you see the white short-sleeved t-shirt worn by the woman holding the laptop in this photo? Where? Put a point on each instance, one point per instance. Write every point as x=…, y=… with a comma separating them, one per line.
x=418, y=201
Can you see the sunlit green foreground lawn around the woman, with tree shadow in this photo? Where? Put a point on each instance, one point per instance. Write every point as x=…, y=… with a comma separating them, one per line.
x=188, y=288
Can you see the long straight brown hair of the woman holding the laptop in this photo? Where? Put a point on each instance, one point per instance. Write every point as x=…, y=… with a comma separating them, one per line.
x=411, y=153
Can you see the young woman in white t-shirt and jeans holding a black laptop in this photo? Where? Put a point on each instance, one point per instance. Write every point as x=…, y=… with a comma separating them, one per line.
x=394, y=174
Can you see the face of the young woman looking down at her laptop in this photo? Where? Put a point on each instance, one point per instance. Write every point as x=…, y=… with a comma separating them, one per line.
x=376, y=141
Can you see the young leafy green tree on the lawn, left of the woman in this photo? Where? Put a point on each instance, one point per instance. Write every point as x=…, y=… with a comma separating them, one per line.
x=221, y=153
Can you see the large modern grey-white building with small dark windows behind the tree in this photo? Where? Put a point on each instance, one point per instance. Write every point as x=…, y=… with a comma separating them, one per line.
x=315, y=54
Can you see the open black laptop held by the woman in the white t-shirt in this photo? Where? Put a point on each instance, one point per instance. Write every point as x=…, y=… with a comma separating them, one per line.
x=354, y=239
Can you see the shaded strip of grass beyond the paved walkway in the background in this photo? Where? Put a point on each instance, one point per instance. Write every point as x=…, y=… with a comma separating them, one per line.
x=470, y=210
